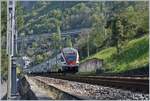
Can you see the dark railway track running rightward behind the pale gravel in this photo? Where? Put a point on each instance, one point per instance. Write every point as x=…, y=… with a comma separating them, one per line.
x=135, y=84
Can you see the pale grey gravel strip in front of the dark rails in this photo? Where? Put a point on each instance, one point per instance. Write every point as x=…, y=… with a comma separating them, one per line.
x=94, y=91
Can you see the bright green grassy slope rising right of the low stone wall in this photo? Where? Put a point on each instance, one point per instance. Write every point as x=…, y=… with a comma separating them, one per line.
x=134, y=55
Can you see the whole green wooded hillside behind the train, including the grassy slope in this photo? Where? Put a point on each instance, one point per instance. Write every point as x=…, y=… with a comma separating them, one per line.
x=107, y=23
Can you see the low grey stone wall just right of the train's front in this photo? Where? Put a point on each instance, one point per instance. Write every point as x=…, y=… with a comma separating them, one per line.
x=91, y=65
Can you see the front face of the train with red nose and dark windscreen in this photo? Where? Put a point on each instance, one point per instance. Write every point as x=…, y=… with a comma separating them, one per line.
x=71, y=57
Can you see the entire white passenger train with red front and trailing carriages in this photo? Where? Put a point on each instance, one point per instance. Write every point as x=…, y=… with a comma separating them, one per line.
x=67, y=61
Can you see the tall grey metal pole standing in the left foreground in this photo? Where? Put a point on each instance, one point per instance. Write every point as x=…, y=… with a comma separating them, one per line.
x=10, y=49
